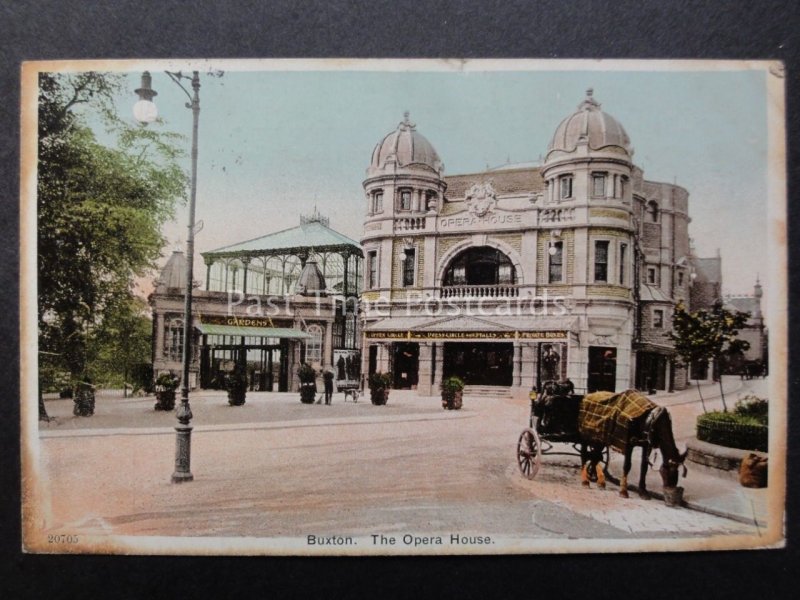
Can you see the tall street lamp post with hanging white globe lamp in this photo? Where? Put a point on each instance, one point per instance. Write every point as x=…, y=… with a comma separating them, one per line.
x=145, y=112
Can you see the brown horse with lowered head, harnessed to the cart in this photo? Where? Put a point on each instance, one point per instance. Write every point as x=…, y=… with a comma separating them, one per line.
x=652, y=429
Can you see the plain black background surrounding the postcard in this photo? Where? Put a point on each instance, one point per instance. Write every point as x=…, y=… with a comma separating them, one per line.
x=251, y=29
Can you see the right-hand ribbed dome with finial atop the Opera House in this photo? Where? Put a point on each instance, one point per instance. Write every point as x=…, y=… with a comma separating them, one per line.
x=589, y=123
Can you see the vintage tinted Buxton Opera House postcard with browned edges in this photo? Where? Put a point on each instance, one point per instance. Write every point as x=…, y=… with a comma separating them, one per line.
x=392, y=307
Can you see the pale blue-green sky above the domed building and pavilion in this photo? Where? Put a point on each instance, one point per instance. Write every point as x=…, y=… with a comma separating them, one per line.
x=274, y=144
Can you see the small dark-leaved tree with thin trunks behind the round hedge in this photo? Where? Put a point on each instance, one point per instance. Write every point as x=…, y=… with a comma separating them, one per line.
x=705, y=335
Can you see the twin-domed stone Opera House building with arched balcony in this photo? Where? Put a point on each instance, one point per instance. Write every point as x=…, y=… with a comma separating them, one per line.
x=568, y=268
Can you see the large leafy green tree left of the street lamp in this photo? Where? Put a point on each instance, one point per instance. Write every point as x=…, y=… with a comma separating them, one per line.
x=100, y=213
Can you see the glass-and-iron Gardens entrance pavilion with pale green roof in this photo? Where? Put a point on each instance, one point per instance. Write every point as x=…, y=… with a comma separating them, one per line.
x=271, y=303
